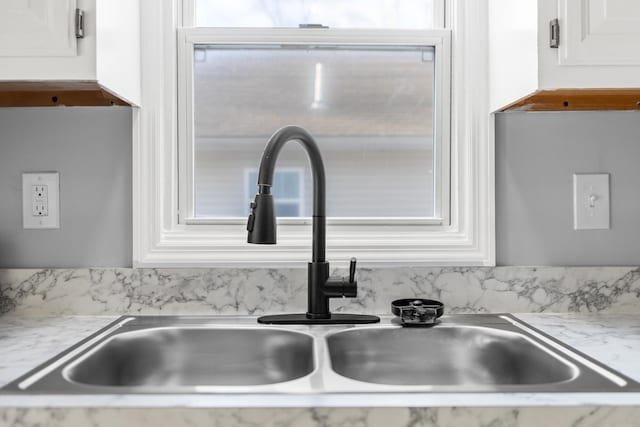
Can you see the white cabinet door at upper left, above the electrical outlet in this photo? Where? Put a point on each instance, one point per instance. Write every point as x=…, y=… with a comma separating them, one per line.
x=37, y=28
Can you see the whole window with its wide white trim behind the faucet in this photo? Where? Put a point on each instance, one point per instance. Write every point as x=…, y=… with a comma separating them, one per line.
x=406, y=139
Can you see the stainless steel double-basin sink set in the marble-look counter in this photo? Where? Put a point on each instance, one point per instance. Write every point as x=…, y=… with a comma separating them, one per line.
x=464, y=353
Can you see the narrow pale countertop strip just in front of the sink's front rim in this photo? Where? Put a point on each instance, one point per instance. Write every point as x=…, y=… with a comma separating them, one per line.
x=345, y=400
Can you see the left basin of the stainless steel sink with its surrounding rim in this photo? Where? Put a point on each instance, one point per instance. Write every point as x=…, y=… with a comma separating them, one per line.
x=173, y=354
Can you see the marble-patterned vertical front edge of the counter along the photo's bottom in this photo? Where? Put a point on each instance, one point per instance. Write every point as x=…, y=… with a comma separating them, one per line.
x=324, y=417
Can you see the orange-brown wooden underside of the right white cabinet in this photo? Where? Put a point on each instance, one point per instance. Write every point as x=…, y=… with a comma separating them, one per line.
x=578, y=100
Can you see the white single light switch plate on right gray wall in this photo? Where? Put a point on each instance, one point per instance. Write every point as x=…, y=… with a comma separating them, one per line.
x=591, y=204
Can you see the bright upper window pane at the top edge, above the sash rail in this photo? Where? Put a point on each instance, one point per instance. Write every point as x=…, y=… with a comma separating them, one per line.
x=333, y=13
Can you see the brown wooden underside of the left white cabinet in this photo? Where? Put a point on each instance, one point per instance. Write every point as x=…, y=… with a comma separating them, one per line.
x=57, y=93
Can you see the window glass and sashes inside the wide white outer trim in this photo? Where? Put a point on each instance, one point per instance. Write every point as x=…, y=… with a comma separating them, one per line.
x=370, y=107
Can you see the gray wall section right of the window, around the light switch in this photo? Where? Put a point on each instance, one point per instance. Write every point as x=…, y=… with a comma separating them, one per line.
x=536, y=157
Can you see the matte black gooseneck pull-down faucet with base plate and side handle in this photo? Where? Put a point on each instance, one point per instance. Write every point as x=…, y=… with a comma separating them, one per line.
x=261, y=226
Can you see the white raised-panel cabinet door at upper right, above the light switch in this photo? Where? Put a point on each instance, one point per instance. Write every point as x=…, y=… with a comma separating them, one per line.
x=599, y=32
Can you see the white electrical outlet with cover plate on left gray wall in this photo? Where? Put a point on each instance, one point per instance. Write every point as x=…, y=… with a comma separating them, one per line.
x=41, y=200
